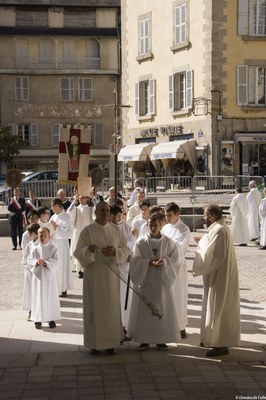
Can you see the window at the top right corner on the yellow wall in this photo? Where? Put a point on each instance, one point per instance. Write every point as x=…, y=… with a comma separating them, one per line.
x=252, y=17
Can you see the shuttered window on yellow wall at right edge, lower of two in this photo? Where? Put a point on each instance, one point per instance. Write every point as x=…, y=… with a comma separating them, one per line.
x=251, y=85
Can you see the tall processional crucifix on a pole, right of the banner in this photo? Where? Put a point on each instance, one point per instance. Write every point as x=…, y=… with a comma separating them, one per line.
x=116, y=144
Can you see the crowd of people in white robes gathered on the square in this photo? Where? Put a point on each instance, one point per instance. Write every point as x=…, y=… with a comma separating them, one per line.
x=145, y=246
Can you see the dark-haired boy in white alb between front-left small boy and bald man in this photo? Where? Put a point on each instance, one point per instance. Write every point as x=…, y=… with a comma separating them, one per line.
x=63, y=226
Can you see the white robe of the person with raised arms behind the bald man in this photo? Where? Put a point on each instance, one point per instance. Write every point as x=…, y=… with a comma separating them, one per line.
x=81, y=216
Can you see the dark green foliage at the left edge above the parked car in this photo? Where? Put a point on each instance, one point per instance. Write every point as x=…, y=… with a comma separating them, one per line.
x=9, y=145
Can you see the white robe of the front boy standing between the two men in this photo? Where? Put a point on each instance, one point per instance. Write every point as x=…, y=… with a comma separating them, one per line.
x=156, y=284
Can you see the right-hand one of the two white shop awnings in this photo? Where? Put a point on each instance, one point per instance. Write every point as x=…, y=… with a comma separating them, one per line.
x=175, y=149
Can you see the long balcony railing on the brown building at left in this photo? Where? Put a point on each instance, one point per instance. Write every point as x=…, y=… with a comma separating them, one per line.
x=50, y=63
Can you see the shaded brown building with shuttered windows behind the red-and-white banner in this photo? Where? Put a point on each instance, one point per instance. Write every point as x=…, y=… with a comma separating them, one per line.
x=59, y=60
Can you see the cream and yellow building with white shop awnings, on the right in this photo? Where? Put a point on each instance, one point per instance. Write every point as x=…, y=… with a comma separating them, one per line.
x=194, y=71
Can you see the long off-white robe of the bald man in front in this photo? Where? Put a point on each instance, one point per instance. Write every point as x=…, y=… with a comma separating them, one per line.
x=101, y=287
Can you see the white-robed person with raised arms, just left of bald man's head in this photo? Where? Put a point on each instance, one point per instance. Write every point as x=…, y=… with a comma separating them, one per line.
x=81, y=214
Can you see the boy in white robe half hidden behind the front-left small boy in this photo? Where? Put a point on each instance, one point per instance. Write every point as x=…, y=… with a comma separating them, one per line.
x=32, y=236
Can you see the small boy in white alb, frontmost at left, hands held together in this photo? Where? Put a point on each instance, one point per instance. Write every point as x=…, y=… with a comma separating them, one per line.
x=43, y=262
